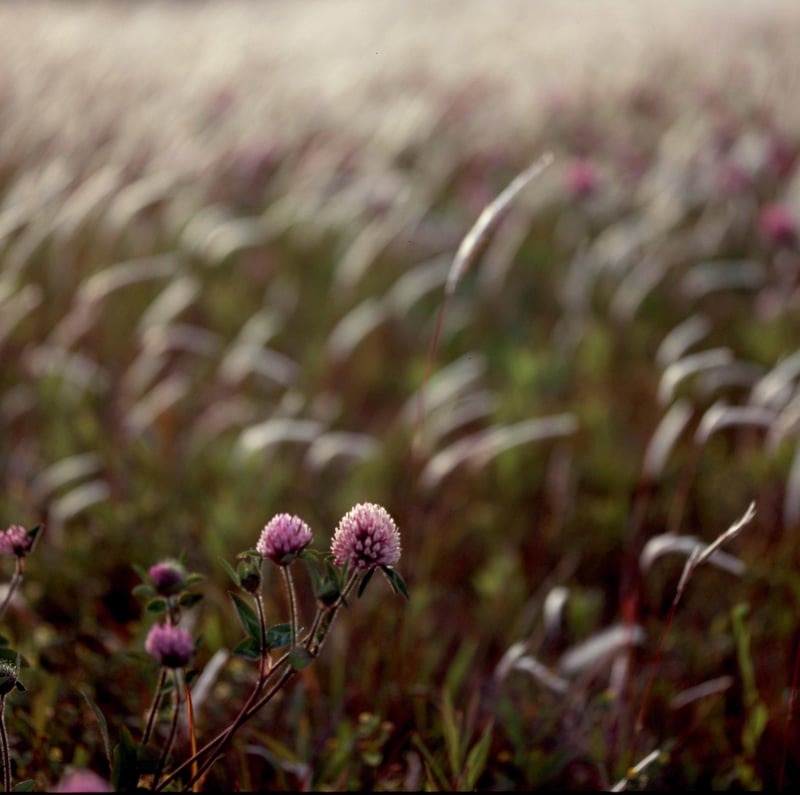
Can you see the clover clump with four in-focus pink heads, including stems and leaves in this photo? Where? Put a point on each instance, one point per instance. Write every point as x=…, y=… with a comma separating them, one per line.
x=366, y=540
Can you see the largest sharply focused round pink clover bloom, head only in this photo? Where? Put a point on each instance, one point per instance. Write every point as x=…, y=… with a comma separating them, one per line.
x=366, y=537
